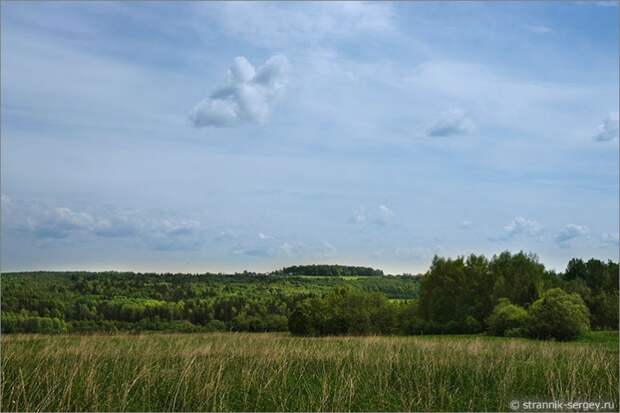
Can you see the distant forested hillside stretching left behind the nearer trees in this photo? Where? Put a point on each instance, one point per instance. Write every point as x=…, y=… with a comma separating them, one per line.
x=112, y=301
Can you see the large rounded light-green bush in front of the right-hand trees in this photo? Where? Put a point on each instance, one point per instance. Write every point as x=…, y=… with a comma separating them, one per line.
x=558, y=315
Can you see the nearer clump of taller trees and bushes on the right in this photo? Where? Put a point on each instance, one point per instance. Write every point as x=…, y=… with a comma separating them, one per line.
x=508, y=295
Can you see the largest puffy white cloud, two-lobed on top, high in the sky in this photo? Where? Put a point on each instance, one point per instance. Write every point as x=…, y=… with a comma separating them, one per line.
x=247, y=97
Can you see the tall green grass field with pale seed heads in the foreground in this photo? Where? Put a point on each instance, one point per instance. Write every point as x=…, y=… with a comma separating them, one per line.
x=275, y=372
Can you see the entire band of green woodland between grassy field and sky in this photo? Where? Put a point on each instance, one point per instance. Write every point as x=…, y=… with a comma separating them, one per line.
x=509, y=294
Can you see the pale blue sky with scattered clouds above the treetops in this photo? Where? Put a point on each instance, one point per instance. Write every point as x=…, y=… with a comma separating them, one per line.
x=194, y=137
